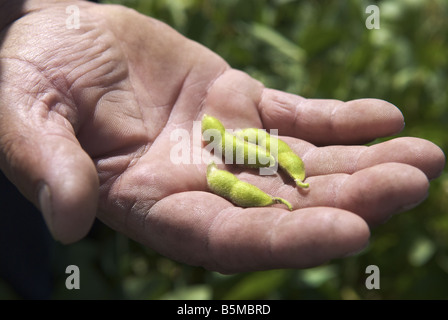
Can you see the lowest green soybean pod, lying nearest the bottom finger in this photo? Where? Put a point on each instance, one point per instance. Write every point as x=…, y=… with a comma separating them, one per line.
x=243, y=194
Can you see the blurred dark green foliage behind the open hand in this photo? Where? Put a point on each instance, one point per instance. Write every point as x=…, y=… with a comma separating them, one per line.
x=317, y=49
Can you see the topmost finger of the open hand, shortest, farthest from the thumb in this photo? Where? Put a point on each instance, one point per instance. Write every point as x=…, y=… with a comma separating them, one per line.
x=327, y=121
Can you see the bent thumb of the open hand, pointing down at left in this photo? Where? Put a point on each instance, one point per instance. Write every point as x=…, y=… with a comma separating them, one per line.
x=55, y=173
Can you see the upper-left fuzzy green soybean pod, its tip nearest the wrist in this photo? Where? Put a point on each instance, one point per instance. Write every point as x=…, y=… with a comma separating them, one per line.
x=244, y=153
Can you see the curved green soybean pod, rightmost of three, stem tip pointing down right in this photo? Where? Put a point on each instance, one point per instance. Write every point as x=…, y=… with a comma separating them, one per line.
x=286, y=158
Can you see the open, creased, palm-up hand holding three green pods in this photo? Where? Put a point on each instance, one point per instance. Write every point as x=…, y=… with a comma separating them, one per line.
x=86, y=117
